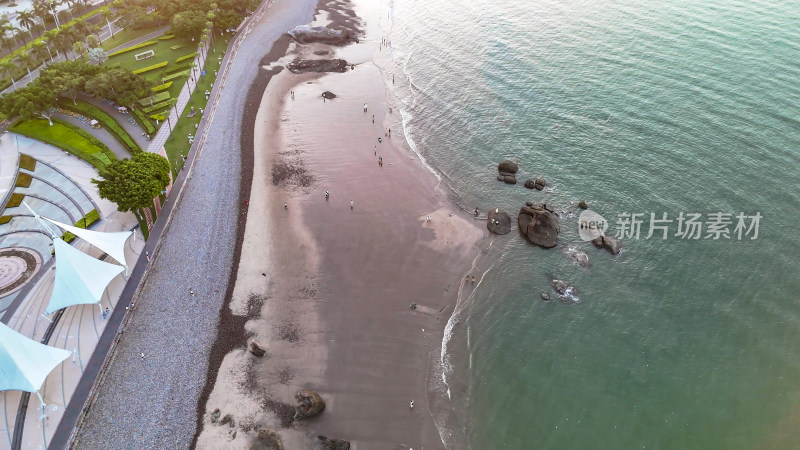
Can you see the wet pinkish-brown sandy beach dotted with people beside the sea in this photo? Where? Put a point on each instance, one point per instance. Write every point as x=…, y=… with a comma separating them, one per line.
x=325, y=287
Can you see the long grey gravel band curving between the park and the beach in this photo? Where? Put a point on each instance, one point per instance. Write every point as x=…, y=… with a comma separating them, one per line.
x=150, y=401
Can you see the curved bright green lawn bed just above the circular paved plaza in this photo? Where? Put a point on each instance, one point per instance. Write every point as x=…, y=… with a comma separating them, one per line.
x=67, y=137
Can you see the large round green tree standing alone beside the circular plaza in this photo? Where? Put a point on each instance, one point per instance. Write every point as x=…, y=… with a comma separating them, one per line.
x=133, y=183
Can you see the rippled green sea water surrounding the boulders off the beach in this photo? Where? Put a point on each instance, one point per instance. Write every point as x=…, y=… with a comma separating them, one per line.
x=634, y=106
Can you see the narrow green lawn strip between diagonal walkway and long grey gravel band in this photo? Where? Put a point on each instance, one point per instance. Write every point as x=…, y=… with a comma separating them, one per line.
x=177, y=146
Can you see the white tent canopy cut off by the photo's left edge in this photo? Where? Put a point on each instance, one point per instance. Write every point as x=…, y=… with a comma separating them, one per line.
x=25, y=363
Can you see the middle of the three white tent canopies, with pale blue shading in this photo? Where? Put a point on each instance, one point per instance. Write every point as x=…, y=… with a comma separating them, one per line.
x=80, y=279
